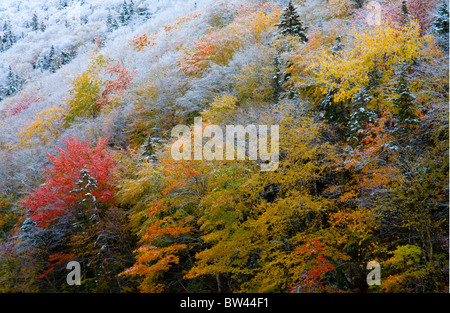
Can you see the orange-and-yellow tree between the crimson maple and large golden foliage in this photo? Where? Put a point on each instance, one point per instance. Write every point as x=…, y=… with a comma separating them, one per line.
x=165, y=199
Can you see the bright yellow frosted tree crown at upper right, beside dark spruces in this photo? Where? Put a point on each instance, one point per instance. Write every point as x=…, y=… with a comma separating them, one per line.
x=373, y=54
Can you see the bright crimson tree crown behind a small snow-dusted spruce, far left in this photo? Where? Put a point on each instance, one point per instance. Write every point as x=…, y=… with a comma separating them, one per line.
x=56, y=195
